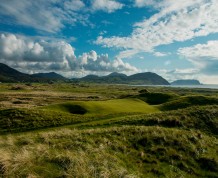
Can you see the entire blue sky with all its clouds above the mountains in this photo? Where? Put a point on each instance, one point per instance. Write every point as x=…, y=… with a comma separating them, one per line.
x=177, y=39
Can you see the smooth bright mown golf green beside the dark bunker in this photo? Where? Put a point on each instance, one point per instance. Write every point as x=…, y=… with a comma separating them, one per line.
x=130, y=105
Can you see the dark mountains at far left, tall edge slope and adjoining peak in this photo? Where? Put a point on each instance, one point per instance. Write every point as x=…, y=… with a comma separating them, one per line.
x=8, y=74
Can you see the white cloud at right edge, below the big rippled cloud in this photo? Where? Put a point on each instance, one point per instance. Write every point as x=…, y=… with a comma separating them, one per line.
x=203, y=56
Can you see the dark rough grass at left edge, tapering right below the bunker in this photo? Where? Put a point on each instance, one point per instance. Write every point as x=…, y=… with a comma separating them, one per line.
x=19, y=120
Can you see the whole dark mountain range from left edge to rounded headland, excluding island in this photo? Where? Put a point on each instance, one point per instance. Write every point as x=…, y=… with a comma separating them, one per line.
x=8, y=74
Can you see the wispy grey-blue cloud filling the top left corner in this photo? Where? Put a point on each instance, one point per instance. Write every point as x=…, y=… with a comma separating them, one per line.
x=49, y=16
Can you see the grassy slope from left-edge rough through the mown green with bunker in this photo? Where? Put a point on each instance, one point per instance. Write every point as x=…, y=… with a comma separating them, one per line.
x=16, y=120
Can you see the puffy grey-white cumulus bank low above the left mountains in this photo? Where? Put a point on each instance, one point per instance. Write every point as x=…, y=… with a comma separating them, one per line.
x=31, y=55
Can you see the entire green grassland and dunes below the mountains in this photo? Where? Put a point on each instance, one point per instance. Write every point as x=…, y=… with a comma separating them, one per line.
x=90, y=130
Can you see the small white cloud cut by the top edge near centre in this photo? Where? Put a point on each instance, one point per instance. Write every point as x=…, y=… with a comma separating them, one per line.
x=106, y=5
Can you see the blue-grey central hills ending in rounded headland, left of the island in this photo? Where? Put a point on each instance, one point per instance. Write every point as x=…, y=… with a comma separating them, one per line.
x=146, y=78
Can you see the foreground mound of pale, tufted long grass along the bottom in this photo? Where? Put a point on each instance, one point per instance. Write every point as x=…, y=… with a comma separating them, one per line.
x=128, y=151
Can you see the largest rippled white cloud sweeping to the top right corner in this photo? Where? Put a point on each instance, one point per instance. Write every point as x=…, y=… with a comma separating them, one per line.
x=176, y=21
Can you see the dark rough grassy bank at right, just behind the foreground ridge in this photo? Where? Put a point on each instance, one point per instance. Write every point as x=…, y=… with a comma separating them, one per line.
x=204, y=119
